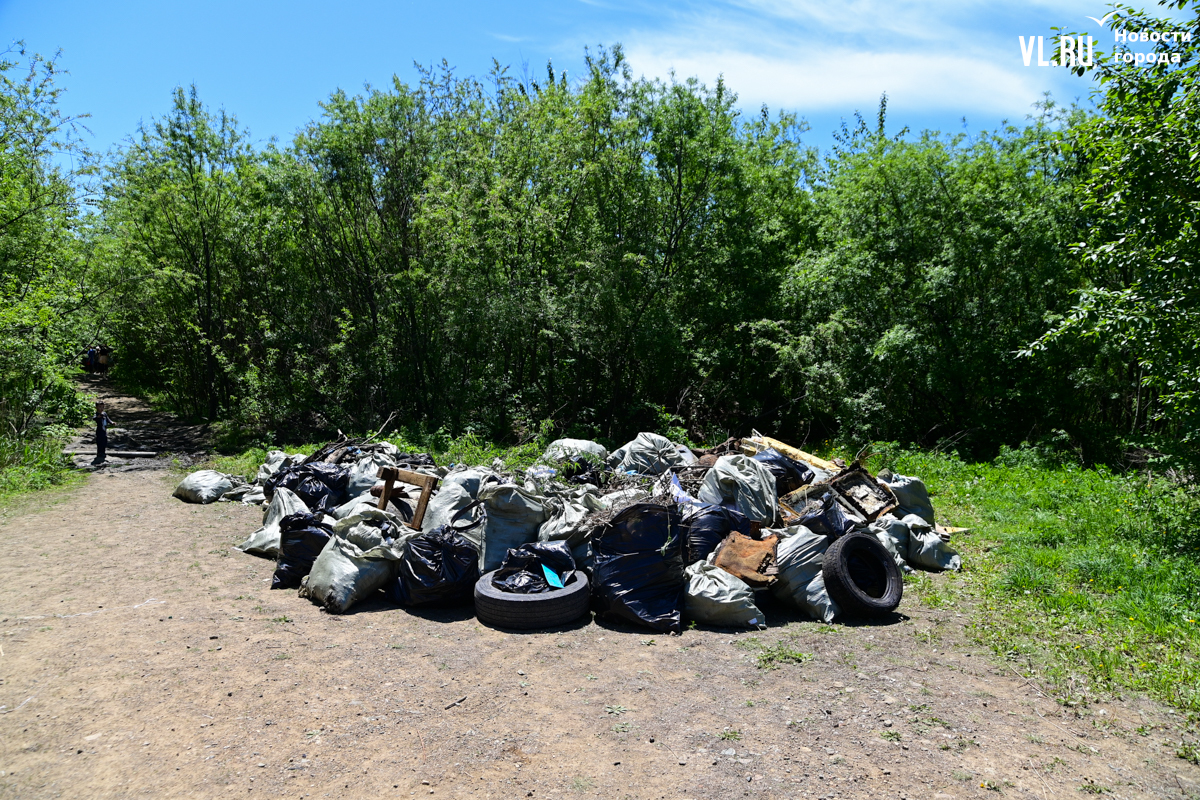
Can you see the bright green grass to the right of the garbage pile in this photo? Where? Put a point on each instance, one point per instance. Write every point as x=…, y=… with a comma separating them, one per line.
x=1084, y=580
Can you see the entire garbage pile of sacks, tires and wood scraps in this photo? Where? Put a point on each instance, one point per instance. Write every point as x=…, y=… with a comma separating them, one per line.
x=655, y=534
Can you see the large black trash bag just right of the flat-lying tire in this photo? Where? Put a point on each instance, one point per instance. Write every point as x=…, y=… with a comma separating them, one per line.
x=639, y=575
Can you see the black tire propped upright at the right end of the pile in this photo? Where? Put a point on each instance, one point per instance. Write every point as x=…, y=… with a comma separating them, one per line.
x=862, y=578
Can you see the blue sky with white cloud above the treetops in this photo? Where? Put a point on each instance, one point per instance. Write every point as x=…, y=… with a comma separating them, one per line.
x=272, y=63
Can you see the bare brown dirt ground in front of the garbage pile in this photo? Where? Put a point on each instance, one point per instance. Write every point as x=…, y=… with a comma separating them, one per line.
x=141, y=657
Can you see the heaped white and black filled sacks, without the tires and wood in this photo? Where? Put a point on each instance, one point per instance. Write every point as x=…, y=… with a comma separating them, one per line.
x=651, y=550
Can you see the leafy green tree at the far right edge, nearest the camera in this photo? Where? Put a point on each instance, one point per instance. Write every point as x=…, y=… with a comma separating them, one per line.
x=1141, y=254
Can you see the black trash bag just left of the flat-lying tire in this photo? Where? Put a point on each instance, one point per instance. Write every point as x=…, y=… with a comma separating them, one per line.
x=440, y=568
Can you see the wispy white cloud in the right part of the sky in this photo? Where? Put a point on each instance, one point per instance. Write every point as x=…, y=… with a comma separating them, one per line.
x=812, y=57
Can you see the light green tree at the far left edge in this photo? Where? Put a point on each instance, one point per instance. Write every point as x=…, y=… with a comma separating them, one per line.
x=43, y=286
